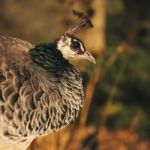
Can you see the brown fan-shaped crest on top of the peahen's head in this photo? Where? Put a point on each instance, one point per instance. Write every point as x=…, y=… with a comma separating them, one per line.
x=81, y=22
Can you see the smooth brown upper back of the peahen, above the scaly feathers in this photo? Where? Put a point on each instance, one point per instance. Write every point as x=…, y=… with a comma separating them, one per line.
x=13, y=50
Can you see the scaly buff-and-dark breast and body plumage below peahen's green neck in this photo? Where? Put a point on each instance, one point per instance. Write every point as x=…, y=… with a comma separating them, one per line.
x=28, y=110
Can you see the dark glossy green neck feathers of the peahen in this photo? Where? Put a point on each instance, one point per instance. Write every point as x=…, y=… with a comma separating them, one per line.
x=48, y=57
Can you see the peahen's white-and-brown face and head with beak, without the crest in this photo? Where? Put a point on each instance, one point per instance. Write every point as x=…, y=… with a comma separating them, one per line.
x=72, y=48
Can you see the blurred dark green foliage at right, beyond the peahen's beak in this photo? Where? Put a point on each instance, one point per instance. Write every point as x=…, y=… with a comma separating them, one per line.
x=123, y=93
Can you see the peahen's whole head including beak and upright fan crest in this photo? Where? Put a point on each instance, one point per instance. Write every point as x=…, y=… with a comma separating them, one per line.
x=71, y=47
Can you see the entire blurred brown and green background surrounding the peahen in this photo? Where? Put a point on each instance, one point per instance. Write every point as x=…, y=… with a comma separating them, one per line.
x=116, y=112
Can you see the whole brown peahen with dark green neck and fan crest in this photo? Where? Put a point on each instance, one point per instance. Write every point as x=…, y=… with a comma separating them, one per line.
x=41, y=91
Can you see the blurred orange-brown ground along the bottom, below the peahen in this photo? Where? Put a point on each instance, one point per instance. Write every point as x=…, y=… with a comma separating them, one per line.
x=87, y=138
